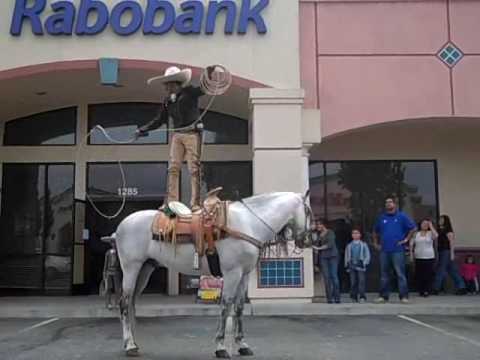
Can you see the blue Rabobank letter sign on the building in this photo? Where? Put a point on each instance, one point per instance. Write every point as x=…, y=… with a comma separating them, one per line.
x=126, y=17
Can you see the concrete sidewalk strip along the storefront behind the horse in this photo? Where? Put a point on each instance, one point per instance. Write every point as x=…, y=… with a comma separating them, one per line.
x=163, y=306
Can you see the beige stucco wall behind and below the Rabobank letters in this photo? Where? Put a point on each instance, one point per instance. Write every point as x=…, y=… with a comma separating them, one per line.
x=249, y=56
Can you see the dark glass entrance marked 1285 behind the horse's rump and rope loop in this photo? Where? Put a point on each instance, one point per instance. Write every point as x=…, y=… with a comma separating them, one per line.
x=145, y=188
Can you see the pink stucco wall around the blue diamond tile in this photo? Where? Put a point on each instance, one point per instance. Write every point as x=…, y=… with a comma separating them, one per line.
x=376, y=61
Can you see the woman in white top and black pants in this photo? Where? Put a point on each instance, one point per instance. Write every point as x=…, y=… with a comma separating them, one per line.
x=423, y=252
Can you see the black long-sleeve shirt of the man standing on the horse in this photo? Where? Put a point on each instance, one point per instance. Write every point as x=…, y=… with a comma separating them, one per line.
x=183, y=111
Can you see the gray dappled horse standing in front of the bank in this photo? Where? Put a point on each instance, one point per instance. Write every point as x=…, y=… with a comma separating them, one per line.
x=260, y=217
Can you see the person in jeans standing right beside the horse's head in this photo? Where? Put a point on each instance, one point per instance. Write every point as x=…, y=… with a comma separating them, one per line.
x=328, y=256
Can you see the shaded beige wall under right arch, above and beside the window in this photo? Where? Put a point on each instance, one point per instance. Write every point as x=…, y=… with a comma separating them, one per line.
x=452, y=142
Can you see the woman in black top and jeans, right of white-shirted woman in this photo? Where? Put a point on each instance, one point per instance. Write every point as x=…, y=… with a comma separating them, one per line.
x=446, y=258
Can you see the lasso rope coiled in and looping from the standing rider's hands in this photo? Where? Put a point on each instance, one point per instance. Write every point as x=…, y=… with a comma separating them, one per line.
x=212, y=87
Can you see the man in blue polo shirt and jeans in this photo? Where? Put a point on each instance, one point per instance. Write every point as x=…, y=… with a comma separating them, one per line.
x=394, y=229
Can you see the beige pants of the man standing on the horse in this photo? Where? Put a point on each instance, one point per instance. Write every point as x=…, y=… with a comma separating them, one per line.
x=184, y=146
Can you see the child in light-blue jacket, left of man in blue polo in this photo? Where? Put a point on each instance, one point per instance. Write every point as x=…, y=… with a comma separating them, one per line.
x=357, y=258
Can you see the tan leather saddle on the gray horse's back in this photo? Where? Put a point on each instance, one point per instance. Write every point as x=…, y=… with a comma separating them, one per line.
x=201, y=228
